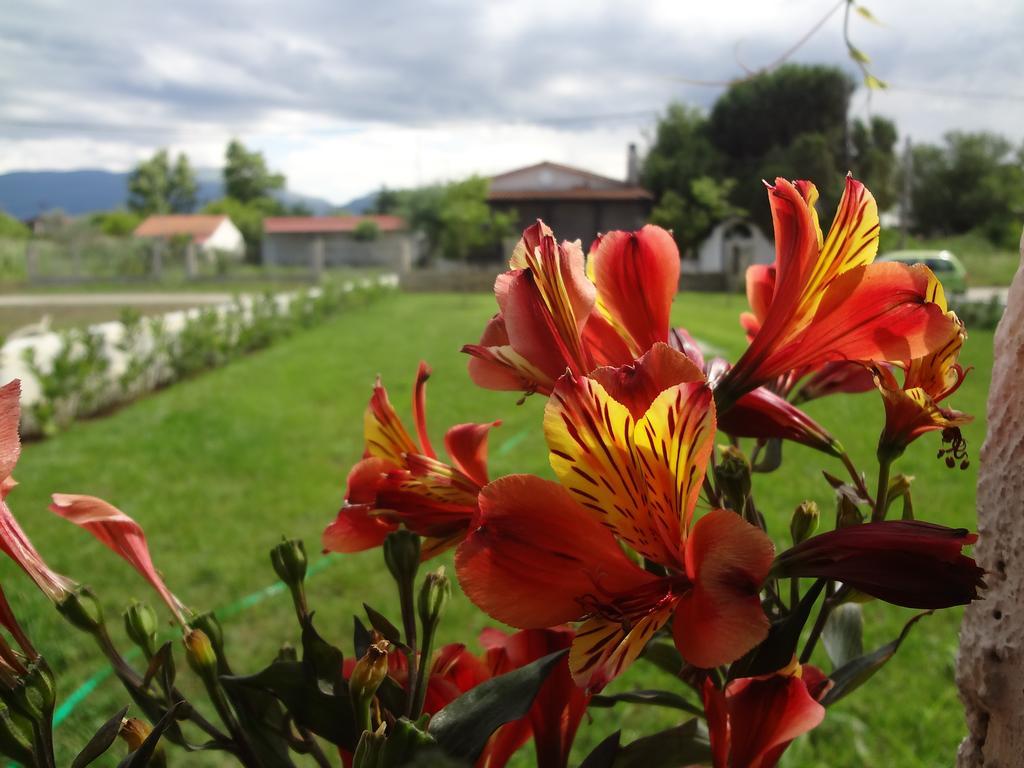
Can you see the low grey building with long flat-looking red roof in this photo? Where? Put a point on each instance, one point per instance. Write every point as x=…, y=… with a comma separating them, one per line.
x=321, y=242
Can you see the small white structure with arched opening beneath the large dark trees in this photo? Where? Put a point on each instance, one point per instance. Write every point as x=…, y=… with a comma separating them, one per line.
x=723, y=258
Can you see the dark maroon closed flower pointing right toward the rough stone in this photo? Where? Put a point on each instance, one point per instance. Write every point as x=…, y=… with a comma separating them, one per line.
x=913, y=564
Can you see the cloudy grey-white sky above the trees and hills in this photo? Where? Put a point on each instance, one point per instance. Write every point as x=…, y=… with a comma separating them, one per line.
x=345, y=97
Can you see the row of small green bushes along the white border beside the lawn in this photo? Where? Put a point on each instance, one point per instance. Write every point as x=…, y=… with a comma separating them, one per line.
x=96, y=368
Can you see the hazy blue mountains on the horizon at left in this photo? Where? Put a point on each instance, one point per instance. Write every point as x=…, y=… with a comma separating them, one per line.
x=27, y=194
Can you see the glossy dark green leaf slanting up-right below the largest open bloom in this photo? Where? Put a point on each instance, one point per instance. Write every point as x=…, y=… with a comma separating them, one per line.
x=464, y=727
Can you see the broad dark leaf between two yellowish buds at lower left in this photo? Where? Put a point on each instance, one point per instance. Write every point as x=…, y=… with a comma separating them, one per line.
x=327, y=715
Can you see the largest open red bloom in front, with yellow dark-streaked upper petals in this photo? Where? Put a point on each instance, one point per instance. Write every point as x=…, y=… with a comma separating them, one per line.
x=631, y=461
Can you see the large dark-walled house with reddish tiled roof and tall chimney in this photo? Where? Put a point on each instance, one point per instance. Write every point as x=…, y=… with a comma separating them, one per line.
x=576, y=203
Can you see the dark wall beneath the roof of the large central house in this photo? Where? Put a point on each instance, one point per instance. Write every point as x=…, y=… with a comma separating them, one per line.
x=579, y=220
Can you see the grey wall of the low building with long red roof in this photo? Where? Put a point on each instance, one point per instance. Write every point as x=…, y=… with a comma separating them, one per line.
x=390, y=250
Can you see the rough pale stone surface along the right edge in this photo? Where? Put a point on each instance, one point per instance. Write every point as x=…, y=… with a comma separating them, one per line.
x=991, y=669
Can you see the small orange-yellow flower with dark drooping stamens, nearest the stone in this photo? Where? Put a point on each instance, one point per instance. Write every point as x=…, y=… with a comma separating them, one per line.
x=914, y=409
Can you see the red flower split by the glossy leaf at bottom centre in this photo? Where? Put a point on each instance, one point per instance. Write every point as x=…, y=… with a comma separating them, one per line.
x=560, y=706
